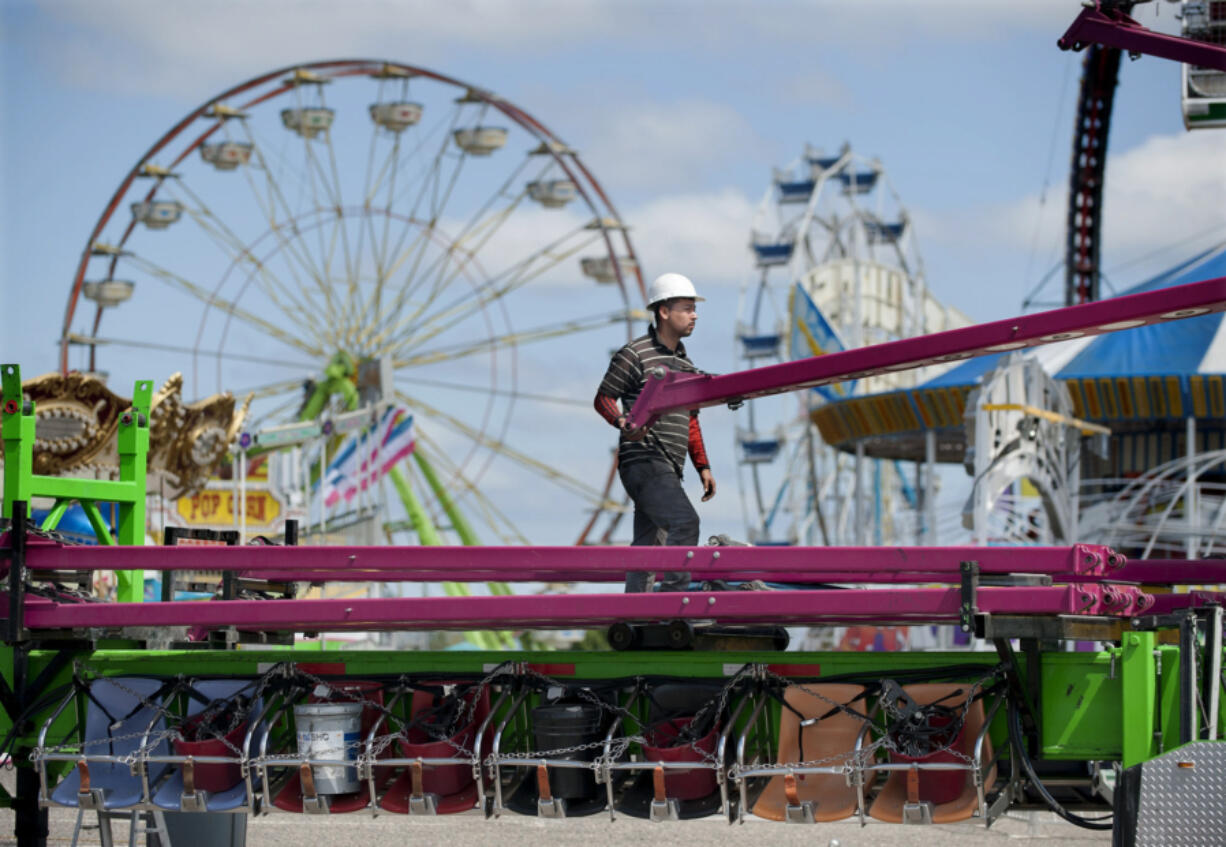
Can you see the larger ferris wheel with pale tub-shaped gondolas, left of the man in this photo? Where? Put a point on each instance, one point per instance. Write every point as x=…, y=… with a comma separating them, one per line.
x=431, y=240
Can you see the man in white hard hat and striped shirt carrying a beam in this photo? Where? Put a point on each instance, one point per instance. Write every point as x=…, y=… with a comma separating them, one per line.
x=652, y=460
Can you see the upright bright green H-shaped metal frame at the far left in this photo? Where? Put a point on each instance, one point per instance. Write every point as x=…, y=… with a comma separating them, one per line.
x=128, y=492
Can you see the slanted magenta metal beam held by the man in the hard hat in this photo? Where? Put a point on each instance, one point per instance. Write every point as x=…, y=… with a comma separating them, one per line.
x=669, y=390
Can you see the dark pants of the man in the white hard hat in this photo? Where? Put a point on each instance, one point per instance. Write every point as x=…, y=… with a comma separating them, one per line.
x=663, y=514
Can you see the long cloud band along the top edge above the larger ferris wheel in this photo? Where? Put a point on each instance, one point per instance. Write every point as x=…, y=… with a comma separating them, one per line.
x=150, y=47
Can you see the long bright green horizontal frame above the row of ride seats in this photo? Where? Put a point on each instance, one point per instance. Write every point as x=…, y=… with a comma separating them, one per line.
x=1097, y=707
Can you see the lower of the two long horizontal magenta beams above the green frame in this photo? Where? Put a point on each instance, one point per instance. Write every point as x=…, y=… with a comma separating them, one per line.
x=566, y=611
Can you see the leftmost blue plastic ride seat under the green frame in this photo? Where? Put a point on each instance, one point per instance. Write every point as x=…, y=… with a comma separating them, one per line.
x=110, y=715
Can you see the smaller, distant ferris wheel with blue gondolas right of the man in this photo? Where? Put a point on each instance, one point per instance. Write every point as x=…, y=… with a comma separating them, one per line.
x=836, y=267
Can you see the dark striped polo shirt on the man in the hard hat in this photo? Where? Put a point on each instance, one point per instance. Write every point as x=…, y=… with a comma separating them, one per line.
x=669, y=438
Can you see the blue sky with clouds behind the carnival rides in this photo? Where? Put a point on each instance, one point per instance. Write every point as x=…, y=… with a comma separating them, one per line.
x=680, y=108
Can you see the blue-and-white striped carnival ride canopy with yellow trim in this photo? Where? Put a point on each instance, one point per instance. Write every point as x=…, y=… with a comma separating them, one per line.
x=1143, y=384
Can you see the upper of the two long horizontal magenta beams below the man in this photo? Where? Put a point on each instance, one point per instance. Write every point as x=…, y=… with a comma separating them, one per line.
x=534, y=563
